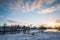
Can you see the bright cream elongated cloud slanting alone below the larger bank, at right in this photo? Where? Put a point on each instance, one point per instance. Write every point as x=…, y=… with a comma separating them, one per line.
x=49, y=10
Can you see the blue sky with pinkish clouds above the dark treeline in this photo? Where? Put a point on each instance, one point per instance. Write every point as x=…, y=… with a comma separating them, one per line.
x=24, y=12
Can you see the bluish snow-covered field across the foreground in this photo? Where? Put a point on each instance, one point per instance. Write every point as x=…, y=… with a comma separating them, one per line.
x=37, y=36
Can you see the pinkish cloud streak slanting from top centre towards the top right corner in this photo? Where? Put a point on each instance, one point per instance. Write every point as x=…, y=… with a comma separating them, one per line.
x=39, y=3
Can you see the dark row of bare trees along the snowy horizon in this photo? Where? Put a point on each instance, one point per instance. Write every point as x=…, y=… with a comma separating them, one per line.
x=24, y=29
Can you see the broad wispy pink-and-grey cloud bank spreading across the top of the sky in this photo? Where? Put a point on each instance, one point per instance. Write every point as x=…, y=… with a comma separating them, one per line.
x=19, y=6
